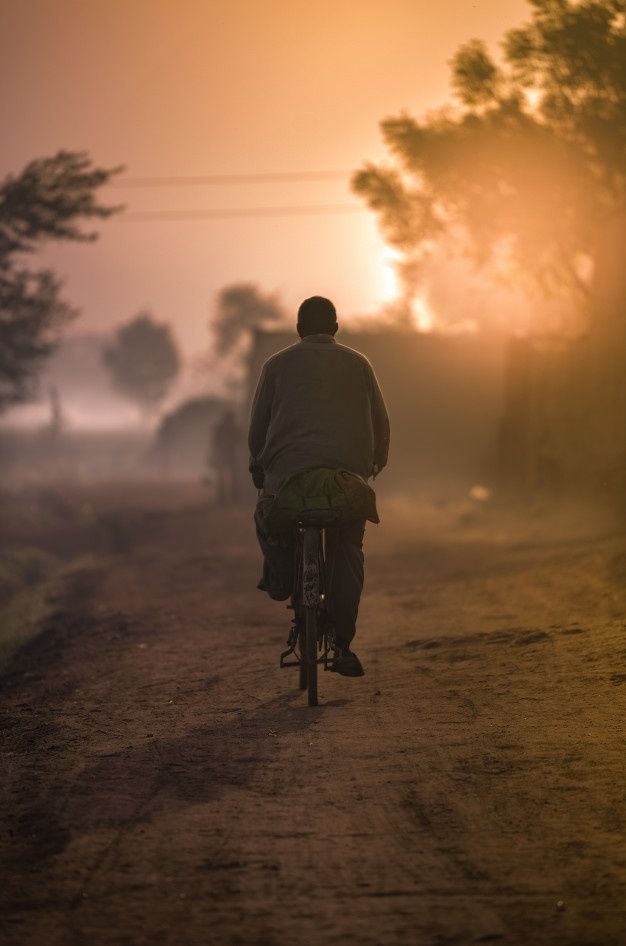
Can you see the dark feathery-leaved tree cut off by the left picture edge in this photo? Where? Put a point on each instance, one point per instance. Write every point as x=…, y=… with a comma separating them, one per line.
x=49, y=200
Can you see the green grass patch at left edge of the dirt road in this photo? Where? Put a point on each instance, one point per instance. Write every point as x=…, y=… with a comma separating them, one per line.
x=31, y=583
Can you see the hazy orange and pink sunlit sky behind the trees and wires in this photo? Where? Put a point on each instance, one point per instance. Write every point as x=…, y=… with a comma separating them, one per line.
x=186, y=87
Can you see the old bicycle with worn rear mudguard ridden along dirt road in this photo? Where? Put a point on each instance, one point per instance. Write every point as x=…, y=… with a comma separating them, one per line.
x=311, y=639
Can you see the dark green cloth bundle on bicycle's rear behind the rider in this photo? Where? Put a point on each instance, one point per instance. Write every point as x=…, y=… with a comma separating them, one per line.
x=322, y=496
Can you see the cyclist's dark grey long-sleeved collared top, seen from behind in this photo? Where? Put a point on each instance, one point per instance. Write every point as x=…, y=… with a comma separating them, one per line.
x=317, y=403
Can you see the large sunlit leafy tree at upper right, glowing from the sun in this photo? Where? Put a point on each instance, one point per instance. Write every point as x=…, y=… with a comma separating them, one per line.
x=528, y=169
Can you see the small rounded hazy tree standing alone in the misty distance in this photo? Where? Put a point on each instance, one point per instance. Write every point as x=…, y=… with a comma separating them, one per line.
x=143, y=361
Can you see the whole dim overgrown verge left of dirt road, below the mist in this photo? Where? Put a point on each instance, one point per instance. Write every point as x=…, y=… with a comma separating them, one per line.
x=52, y=535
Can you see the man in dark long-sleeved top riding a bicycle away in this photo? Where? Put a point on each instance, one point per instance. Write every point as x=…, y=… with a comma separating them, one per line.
x=318, y=404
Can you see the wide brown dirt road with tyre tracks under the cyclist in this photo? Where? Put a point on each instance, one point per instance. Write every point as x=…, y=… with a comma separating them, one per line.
x=165, y=783
